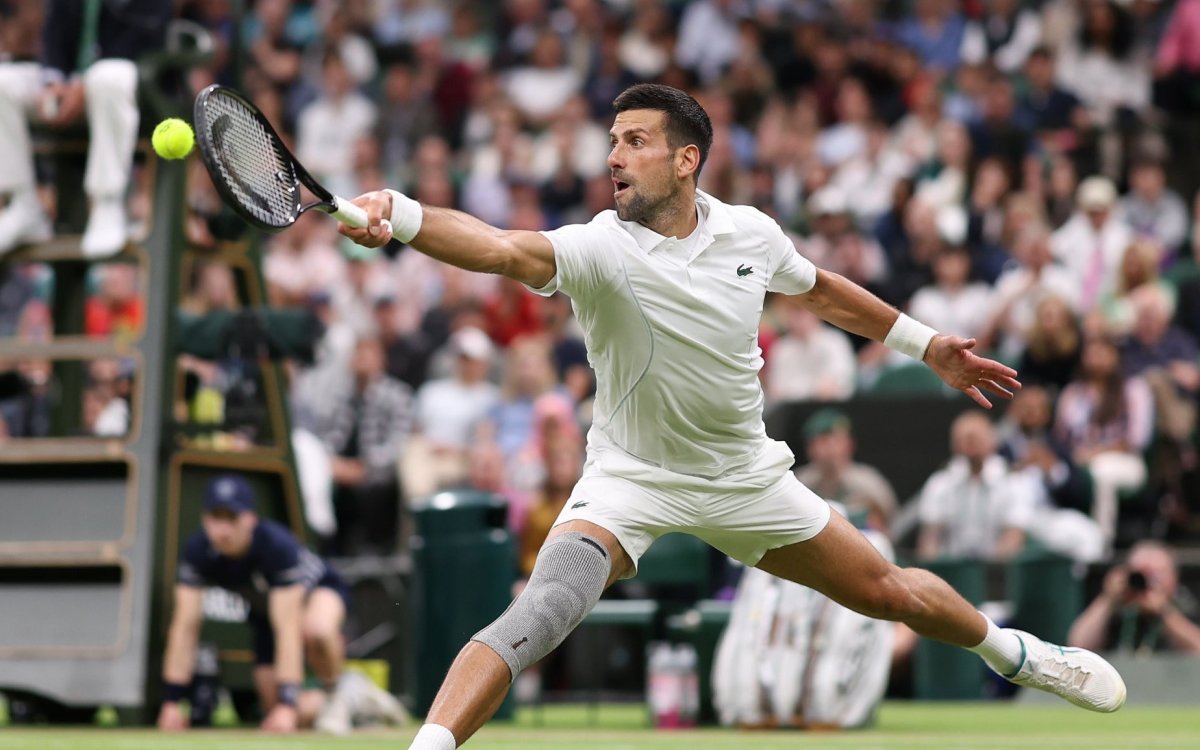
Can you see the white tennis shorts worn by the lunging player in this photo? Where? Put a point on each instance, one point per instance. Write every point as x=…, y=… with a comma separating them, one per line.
x=743, y=523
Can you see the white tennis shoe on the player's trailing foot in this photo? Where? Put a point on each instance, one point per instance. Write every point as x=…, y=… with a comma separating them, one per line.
x=1075, y=674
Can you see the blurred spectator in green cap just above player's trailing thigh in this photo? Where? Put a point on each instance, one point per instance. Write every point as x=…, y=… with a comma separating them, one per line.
x=833, y=473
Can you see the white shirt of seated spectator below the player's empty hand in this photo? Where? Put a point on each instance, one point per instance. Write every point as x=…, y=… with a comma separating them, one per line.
x=974, y=512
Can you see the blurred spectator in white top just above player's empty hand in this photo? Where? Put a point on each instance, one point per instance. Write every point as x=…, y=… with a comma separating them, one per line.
x=952, y=303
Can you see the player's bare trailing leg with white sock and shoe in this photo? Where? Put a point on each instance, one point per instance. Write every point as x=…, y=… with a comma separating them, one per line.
x=842, y=565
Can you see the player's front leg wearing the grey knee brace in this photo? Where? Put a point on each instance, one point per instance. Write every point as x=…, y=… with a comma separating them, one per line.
x=572, y=572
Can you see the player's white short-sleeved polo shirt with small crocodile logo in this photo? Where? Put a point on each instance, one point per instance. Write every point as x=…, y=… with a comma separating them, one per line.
x=673, y=333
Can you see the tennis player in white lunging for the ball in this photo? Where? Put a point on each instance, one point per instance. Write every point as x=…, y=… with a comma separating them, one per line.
x=669, y=290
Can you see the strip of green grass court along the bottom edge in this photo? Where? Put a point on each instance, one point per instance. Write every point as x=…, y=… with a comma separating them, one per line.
x=945, y=727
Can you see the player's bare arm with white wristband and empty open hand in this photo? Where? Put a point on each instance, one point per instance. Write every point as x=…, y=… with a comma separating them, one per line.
x=851, y=308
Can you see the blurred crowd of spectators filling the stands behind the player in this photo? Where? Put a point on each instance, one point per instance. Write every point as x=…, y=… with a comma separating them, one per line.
x=1021, y=172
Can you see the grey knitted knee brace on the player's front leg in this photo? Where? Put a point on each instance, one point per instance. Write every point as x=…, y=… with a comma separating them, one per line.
x=567, y=581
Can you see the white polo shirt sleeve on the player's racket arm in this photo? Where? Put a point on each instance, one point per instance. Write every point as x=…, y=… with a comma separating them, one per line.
x=585, y=260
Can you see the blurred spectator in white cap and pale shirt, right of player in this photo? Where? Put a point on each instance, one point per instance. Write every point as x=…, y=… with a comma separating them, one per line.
x=1091, y=244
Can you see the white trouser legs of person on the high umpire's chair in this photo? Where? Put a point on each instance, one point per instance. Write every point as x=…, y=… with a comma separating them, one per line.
x=111, y=94
